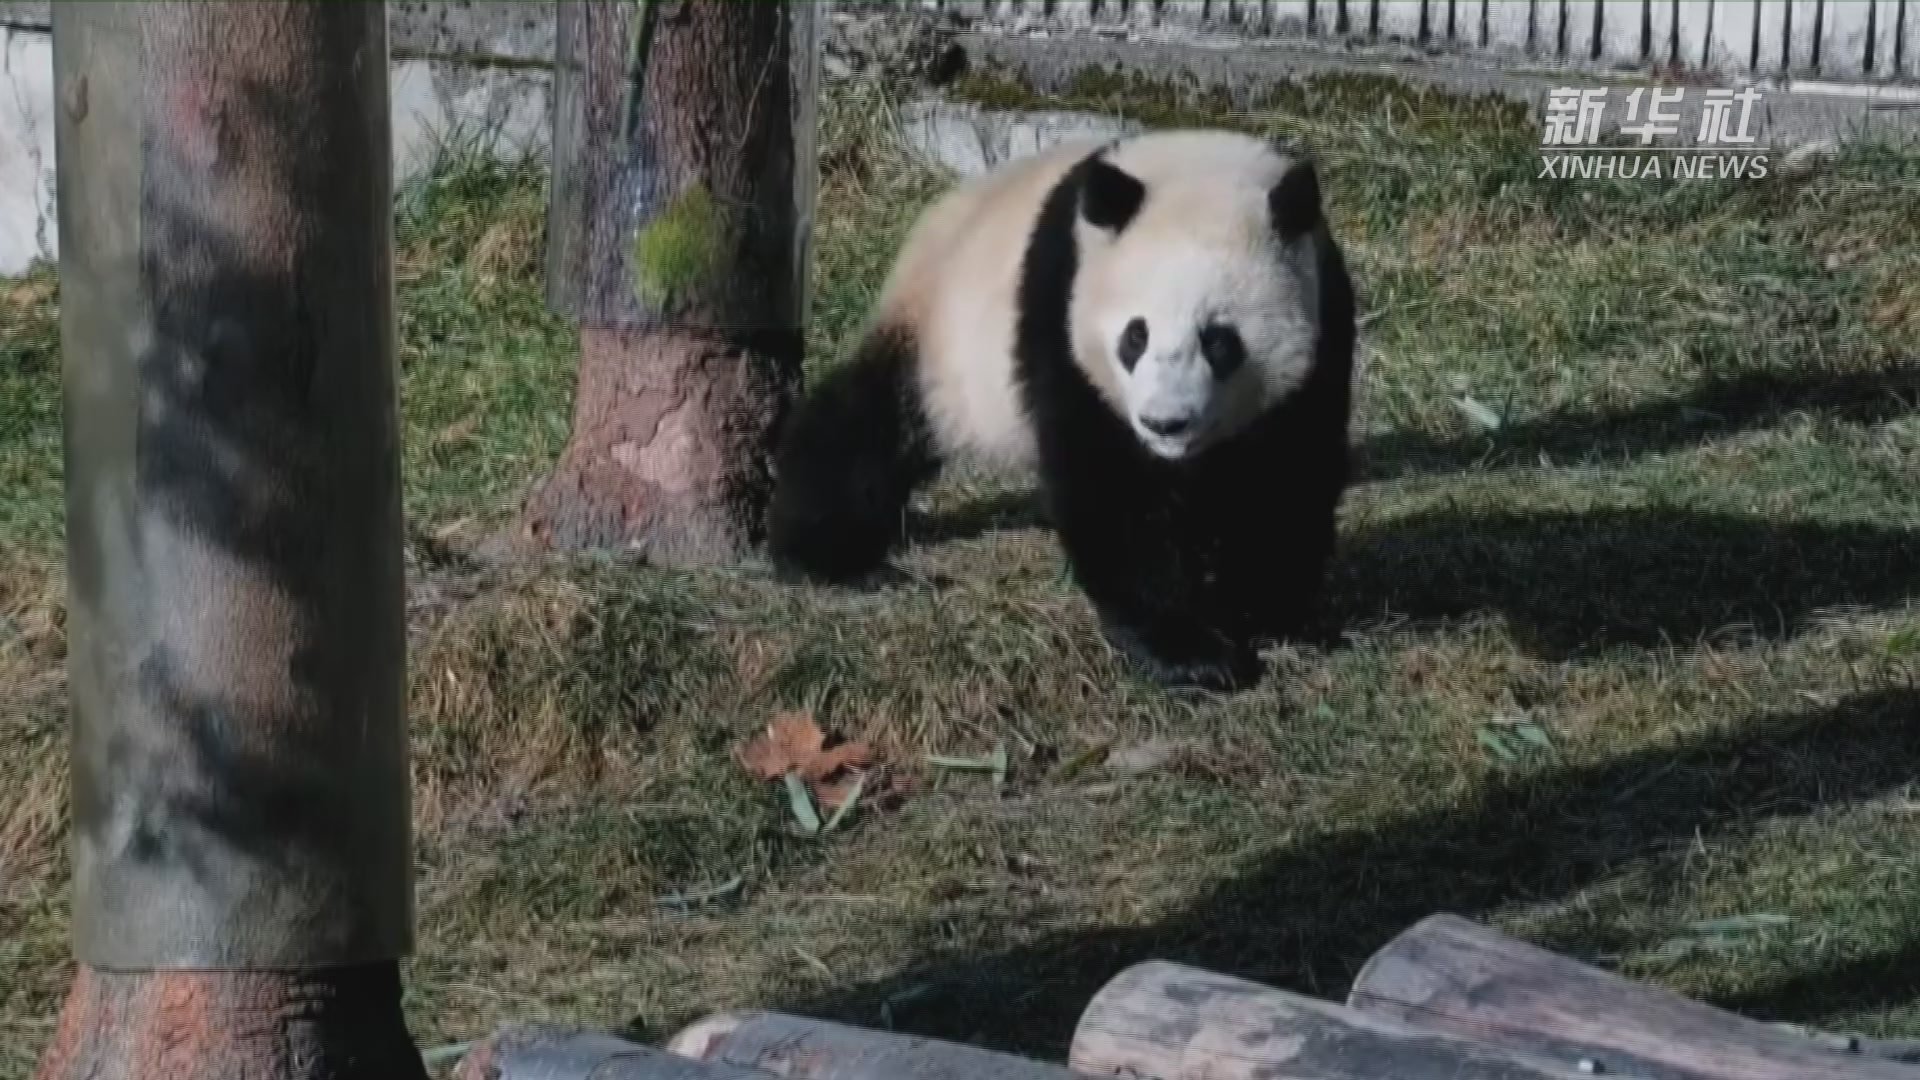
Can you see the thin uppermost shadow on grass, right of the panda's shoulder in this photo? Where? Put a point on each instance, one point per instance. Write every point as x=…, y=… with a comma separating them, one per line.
x=1717, y=410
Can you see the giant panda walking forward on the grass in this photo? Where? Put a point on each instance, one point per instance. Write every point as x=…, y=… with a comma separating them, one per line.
x=1163, y=330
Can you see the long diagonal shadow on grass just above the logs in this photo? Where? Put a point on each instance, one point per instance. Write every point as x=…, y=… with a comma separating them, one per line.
x=1310, y=916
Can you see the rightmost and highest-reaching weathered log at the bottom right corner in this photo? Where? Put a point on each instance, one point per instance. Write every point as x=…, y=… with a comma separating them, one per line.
x=1451, y=975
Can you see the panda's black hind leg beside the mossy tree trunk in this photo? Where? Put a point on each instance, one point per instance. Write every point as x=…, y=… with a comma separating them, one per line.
x=850, y=460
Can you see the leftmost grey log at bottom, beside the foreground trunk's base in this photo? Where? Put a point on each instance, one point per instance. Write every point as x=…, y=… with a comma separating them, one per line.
x=554, y=1054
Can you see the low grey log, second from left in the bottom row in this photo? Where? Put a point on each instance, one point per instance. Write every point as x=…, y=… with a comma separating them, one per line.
x=800, y=1048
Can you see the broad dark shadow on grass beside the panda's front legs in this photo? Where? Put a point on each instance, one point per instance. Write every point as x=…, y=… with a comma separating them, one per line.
x=1587, y=581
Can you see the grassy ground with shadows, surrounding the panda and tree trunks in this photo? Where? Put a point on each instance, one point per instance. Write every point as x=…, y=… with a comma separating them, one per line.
x=1689, y=556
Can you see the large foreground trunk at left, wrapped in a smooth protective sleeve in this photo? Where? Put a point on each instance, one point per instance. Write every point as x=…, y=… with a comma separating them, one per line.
x=241, y=837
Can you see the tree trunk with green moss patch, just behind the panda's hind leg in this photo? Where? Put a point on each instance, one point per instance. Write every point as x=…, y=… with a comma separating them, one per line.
x=679, y=239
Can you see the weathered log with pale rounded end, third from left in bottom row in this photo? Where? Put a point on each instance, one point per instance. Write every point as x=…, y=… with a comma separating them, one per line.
x=1164, y=1021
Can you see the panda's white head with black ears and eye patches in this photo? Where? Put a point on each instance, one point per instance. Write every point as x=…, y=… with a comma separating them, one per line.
x=1195, y=307
